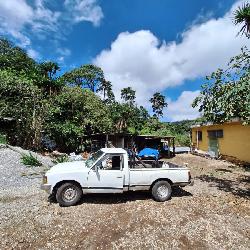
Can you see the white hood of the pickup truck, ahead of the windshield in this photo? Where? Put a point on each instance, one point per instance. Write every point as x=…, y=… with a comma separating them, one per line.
x=68, y=167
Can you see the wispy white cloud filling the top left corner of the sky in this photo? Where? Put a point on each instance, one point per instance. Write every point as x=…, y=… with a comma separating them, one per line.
x=18, y=19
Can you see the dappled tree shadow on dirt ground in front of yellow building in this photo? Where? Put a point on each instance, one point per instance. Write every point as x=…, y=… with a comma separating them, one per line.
x=231, y=186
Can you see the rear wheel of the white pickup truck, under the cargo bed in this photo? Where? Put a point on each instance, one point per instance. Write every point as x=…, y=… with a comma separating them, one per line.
x=161, y=191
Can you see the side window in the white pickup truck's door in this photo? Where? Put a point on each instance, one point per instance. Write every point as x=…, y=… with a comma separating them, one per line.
x=111, y=162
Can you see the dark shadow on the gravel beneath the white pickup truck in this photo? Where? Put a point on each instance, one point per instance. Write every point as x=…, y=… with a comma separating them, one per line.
x=123, y=198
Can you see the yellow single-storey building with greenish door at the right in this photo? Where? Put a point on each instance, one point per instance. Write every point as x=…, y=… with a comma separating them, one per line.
x=228, y=139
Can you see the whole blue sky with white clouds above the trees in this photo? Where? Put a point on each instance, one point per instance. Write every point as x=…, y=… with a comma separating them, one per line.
x=150, y=45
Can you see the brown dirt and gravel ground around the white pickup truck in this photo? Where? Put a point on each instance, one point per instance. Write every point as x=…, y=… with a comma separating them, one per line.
x=212, y=214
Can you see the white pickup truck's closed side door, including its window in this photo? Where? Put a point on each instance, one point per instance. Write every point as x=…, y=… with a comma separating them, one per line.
x=107, y=175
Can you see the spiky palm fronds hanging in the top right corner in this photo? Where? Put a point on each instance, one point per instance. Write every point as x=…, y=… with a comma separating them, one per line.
x=242, y=16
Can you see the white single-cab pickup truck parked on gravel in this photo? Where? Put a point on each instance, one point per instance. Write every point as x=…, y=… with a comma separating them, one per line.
x=111, y=170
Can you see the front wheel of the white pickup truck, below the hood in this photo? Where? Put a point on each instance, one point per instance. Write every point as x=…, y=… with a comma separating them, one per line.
x=68, y=194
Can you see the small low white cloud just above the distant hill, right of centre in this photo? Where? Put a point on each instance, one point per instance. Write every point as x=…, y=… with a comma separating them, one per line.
x=181, y=108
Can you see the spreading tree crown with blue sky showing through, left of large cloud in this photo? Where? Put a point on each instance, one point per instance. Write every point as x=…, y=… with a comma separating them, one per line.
x=89, y=76
